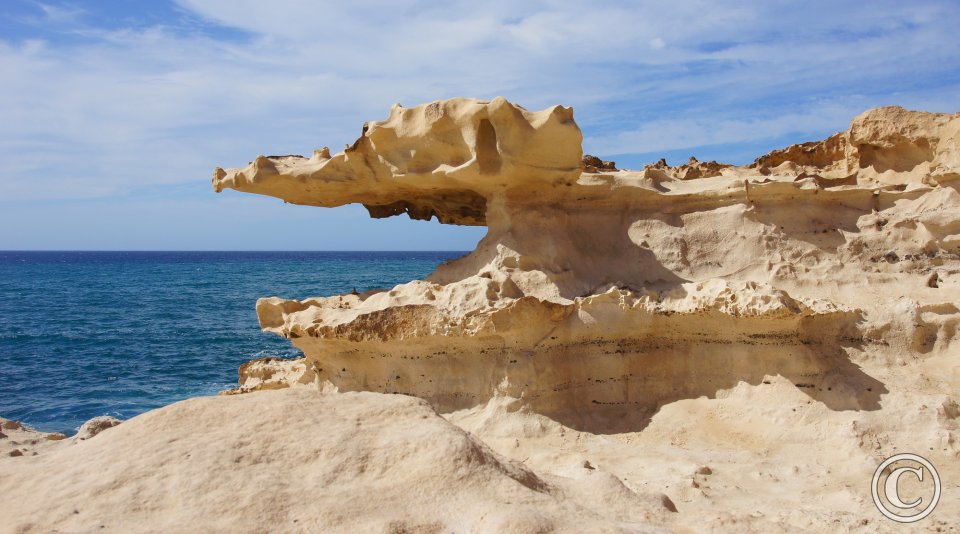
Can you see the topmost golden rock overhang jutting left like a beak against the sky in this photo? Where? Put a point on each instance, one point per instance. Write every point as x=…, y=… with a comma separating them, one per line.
x=474, y=148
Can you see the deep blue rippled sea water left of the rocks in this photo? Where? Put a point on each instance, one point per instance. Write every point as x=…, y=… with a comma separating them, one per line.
x=84, y=334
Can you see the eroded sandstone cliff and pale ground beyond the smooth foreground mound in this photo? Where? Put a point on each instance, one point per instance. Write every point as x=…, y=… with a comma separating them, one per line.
x=771, y=319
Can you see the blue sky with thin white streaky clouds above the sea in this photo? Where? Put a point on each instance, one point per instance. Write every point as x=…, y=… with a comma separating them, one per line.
x=113, y=113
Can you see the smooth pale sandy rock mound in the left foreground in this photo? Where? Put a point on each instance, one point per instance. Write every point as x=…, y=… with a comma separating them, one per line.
x=299, y=461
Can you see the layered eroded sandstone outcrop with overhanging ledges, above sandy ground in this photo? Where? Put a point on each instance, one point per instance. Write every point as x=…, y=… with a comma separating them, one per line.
x=598, y=297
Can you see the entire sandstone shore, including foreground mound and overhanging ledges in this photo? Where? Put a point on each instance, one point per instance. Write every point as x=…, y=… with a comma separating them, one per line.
x=698, y=348
